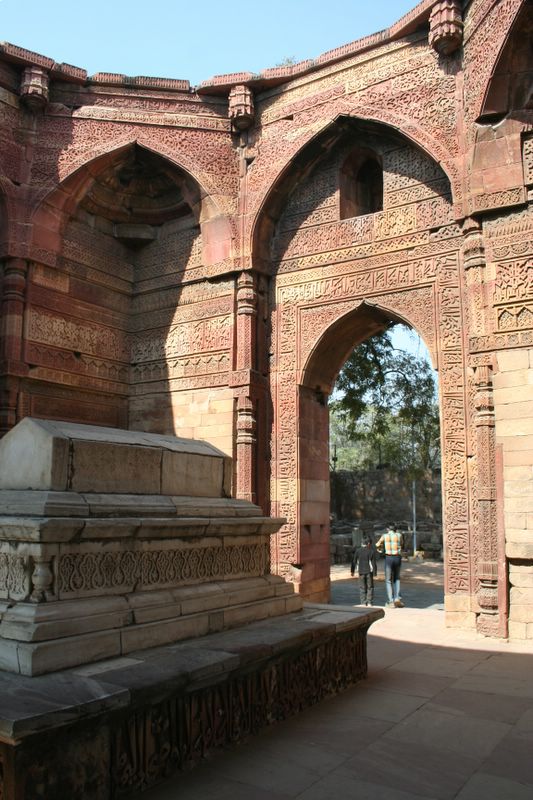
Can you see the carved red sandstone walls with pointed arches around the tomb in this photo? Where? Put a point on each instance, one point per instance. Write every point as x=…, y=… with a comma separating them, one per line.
x=219, y=298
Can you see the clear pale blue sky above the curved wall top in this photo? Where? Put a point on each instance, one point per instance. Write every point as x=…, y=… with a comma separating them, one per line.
x=191, y=40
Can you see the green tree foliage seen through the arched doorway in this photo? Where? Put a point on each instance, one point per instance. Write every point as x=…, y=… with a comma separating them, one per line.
x=384, y=410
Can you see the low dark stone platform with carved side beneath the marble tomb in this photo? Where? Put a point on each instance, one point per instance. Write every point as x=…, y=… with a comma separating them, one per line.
x=111, y=728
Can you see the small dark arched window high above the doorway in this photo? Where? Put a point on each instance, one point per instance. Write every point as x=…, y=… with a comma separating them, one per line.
x=361, y=184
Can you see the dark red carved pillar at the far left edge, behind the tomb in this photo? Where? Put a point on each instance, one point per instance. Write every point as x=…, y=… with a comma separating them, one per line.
x=14, y=278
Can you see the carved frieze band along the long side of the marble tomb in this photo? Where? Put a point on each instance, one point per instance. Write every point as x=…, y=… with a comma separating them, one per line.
x=97, y=572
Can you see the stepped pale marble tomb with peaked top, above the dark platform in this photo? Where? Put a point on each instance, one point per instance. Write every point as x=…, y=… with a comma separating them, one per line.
x=92, y=566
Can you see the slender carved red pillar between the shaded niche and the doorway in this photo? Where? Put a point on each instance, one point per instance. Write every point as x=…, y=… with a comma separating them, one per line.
x=243, y=383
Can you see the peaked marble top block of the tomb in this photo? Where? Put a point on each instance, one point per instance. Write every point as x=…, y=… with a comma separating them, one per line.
x=61, y=456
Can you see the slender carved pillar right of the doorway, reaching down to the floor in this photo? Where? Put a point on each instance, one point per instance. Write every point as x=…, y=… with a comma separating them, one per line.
x=487, y=565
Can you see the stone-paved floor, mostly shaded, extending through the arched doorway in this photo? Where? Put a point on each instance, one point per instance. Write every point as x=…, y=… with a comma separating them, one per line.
x=443, y=714
